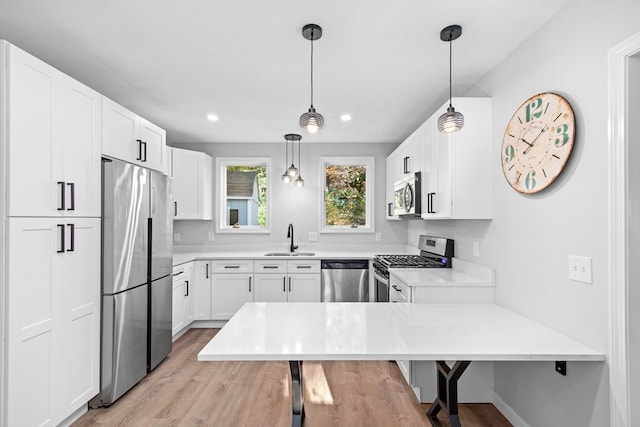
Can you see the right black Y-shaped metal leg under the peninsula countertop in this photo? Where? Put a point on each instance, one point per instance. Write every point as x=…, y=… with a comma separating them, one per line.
x=447, y=397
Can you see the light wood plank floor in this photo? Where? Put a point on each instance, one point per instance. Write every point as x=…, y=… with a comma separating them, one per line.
x=185, y=392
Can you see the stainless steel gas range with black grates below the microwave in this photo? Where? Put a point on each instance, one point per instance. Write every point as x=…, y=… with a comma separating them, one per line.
x=435, y=252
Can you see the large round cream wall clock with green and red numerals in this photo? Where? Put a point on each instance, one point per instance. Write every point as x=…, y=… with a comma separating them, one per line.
x=537, y=142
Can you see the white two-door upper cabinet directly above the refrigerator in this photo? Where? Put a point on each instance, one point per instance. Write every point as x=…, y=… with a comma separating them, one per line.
x=129, y=137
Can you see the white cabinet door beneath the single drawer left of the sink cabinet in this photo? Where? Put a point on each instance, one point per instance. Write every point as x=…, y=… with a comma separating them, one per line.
x=228, y=293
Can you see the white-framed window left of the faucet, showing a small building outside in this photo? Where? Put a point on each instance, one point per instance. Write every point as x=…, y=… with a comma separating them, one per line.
x=244, y=194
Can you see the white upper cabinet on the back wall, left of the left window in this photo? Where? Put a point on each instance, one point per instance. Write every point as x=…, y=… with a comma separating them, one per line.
x=192, y=188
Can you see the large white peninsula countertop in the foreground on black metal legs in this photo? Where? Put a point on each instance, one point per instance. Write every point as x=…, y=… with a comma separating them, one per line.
x=379, y=331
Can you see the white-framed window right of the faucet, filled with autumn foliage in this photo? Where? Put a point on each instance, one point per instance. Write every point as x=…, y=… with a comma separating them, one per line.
x=348, y=194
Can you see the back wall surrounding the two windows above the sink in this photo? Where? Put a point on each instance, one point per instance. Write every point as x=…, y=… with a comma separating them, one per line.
x=299, y=206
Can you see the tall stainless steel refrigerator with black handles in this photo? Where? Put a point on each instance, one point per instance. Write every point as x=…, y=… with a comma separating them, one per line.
x=137, y=230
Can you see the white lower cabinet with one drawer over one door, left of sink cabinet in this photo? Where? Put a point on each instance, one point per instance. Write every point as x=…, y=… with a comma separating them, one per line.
x=231, y=286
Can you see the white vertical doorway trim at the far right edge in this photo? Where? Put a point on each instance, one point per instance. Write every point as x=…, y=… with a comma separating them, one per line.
x=619, y=399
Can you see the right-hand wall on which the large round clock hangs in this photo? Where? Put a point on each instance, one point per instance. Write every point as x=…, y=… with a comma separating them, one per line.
x=530, y=237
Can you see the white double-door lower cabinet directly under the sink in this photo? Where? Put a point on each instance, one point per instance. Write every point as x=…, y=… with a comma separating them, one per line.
x=292, y=281
